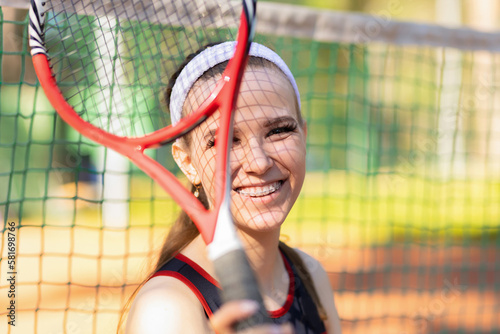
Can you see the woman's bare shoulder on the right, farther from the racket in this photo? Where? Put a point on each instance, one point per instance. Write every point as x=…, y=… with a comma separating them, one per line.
x=322, y=284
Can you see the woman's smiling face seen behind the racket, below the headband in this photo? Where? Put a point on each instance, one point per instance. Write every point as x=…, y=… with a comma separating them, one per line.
x=268, y=154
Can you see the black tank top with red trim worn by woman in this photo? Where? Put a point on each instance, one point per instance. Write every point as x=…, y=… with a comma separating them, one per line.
x=299, y=308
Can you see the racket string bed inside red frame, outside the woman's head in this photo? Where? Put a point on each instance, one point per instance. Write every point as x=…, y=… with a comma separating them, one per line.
x=125, y=46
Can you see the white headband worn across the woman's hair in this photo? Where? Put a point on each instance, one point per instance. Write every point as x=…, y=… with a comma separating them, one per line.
x=211, y=57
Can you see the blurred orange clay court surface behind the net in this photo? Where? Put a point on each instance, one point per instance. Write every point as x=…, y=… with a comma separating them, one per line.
x=75, y=281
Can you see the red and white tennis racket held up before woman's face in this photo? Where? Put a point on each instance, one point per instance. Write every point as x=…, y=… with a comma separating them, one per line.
x=103, y=65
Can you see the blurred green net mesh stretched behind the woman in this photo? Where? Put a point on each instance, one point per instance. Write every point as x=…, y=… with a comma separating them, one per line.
x=400, y=203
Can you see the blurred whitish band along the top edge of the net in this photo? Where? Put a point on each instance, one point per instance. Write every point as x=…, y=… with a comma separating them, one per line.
x=331, y=26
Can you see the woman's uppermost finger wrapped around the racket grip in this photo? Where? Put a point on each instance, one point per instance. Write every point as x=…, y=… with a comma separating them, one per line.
x=230, y=313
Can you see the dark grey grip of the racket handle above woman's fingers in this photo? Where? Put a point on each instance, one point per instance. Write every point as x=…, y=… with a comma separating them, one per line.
x=238, y=282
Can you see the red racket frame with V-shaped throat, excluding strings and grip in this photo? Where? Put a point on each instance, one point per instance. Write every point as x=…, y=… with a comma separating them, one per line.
x=223, y=98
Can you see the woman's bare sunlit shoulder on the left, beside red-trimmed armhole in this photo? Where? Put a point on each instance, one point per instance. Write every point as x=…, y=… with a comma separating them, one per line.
x=166, y=305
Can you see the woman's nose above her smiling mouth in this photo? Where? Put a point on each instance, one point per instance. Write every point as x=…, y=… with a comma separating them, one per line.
x=254, y=158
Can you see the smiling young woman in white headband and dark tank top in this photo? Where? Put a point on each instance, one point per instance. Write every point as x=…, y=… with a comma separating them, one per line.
x=268, y=170
